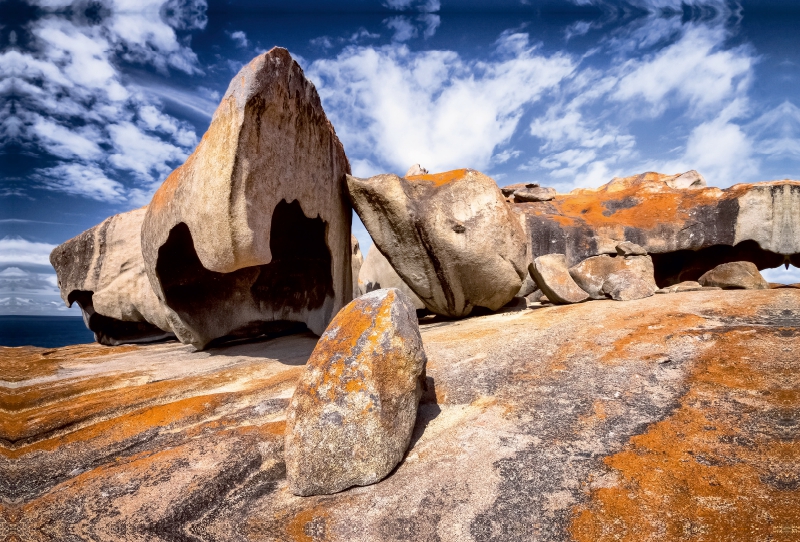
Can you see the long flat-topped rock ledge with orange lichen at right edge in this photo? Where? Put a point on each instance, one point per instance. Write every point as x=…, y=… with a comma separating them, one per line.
x=686, y=227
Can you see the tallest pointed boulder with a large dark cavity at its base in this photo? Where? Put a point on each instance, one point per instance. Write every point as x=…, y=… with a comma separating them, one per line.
x=253, y=231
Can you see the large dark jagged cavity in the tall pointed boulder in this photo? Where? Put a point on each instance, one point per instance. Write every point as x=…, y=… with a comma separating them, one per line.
x=251, y=301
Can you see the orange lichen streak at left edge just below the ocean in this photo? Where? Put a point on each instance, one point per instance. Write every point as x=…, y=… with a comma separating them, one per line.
x=27, y=362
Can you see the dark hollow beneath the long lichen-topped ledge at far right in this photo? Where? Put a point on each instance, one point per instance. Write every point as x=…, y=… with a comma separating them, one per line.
x=674, y=267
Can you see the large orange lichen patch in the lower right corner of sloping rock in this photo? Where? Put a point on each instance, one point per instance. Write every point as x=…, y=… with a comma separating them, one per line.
x=721, y=467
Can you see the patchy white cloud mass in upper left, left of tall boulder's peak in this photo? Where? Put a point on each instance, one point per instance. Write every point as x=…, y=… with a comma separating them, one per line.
x=72, y=101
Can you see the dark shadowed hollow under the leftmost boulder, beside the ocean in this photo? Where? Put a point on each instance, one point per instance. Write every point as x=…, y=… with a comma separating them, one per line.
x=112, y=332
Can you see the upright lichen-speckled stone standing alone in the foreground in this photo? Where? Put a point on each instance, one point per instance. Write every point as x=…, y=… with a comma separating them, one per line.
x=350, y=419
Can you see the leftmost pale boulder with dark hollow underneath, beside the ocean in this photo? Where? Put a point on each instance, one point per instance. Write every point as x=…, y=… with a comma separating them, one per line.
x=103, y=272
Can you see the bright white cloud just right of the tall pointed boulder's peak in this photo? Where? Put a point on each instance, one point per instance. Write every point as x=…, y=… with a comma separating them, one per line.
x=395, y=107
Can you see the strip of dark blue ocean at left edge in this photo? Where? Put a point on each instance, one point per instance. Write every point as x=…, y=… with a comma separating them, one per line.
x=45, y=331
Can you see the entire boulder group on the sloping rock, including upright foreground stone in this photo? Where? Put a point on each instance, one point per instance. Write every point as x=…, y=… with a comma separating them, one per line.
x=250, y=237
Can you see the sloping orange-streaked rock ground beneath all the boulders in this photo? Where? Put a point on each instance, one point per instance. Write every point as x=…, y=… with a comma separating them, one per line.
x=667, y=418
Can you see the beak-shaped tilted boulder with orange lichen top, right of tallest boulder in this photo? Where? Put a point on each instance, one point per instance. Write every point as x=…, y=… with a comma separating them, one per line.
x=450, y=236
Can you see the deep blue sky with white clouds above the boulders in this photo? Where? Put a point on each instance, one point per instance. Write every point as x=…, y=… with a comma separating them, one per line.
x=101, y=100
